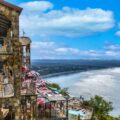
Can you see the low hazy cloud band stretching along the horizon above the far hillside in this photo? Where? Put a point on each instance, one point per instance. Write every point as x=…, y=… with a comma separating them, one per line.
x=52, y=50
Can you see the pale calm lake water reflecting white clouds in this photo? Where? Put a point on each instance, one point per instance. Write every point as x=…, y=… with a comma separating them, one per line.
x=105, y=82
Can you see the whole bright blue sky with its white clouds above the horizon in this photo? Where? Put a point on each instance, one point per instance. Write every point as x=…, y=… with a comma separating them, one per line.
x=71, y=29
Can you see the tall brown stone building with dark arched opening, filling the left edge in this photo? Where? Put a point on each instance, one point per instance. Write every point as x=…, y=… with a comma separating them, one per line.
x=12, y=58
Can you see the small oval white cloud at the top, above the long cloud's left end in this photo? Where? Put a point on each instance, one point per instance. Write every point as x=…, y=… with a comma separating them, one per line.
x=36, y=6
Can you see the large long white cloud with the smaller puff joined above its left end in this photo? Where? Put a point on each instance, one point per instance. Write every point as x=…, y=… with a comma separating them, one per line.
x=65, y=22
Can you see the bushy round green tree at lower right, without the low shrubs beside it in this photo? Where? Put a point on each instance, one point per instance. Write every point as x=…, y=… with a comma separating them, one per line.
x=101, y=107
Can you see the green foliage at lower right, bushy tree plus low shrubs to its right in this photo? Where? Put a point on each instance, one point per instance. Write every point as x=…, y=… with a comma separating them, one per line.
x=101, y=108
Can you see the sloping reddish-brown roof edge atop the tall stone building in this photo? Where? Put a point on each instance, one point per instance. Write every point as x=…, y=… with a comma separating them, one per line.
x=9, y=5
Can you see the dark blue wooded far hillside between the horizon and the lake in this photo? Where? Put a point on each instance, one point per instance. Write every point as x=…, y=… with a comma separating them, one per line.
x=49, y=68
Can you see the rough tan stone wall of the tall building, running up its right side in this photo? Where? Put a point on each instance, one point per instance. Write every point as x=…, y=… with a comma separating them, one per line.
x=13, y=60
